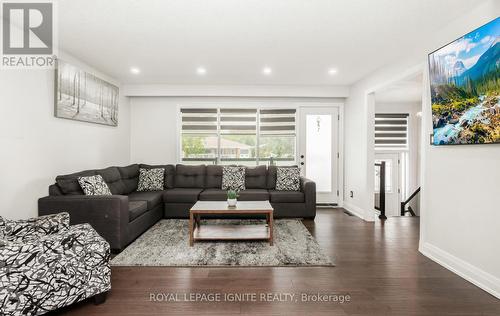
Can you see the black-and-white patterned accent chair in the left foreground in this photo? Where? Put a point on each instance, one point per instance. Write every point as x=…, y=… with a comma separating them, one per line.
x=46, y=264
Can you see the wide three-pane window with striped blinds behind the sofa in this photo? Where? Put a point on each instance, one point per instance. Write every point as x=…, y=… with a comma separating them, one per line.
x=238, y=136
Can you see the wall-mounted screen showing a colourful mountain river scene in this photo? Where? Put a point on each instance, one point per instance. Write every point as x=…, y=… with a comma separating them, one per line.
x=465, y=88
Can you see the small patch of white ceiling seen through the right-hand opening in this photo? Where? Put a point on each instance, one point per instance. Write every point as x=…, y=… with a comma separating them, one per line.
x=403, y=91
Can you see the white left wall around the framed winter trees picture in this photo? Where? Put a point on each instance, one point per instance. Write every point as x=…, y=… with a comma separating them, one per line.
x=35, y=146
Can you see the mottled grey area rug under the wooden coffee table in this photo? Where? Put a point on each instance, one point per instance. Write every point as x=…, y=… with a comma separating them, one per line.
x=166, y=244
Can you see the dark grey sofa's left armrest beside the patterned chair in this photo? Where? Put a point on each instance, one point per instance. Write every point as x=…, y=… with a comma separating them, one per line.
x=108, y=214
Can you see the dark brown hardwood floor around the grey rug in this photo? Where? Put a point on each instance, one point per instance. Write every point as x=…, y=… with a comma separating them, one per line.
x=378, y=265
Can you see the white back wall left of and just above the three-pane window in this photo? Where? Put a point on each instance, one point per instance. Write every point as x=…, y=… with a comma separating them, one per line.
x=154, y=130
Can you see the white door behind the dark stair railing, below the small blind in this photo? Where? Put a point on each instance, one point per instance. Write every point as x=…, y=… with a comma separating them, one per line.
x=392, y=190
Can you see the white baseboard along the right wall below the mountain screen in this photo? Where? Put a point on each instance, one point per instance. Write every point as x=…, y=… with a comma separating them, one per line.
x=476, y=276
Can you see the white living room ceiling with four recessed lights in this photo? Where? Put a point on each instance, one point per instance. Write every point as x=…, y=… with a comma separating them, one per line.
x=234, y=39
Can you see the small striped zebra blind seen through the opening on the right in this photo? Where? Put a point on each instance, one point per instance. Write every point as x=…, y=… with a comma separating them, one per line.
x=391, y=131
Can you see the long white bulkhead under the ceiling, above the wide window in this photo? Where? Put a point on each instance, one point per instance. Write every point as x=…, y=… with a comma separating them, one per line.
x=166, y=90
